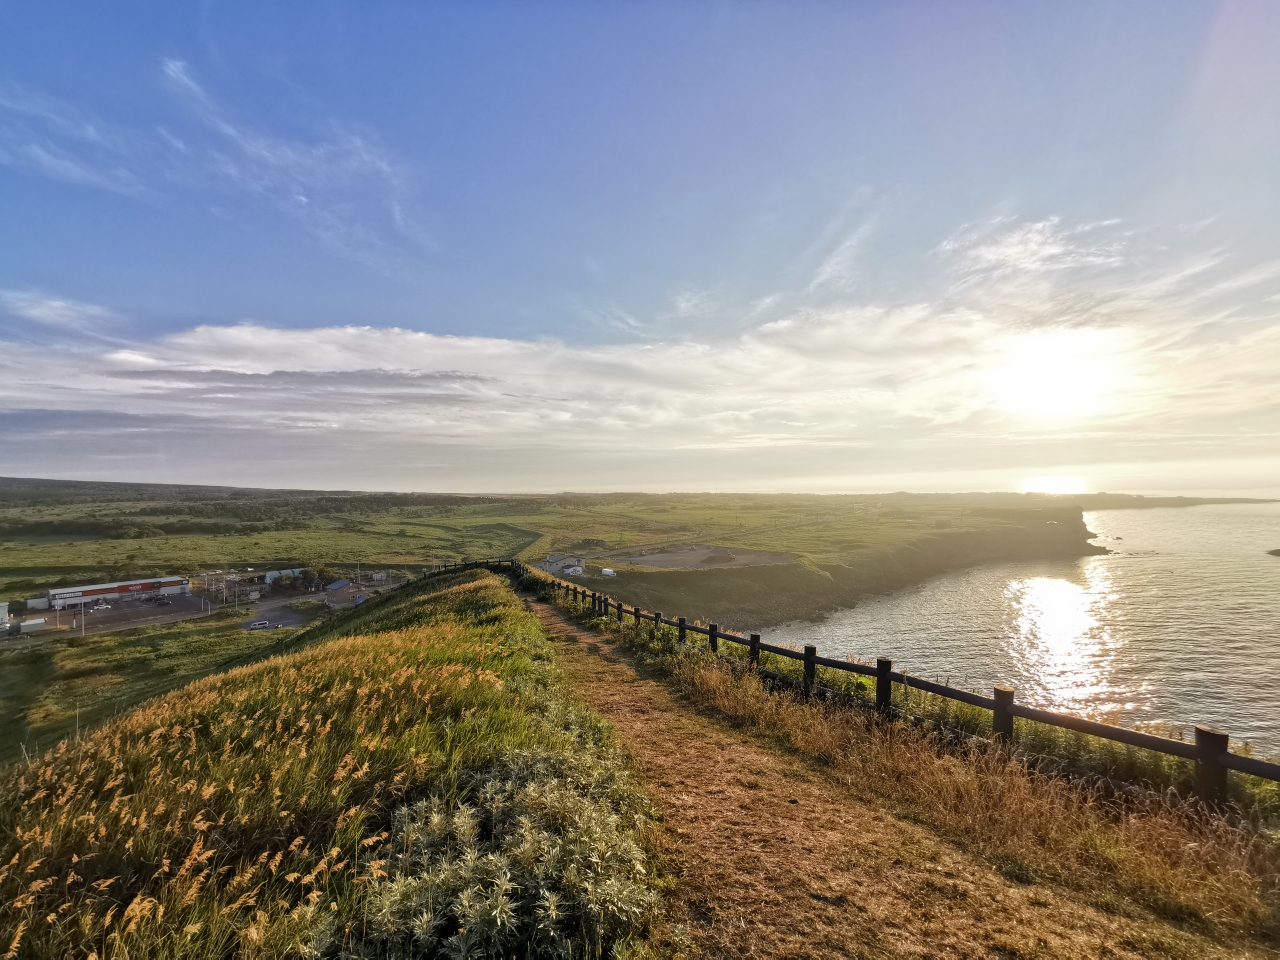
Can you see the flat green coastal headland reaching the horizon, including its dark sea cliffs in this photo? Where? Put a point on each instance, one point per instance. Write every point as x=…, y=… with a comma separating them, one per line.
x=744, y=560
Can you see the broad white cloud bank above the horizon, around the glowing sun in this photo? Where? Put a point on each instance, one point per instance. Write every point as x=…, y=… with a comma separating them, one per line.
x=1062, y=348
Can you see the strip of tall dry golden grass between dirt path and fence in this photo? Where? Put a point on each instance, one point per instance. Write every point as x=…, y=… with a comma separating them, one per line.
x=1146, y=851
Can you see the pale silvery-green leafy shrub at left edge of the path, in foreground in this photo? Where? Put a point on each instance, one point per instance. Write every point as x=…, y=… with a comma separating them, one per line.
x=542, y=863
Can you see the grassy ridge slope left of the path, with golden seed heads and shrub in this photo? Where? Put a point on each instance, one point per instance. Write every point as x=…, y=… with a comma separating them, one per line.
x=426, y=784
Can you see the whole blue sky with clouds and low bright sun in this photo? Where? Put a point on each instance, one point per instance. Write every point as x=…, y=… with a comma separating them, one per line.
x=662, y=246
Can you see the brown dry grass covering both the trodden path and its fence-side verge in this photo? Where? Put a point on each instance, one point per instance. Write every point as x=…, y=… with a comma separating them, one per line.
x=894, y=847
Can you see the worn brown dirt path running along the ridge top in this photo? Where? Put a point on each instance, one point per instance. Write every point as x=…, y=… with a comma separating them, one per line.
x=776, y=861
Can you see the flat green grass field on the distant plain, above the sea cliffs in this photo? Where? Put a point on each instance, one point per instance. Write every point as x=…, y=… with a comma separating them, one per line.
x=60, y=533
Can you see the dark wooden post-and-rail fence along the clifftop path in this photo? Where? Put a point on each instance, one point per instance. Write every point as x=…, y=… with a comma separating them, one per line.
x=1209, y=752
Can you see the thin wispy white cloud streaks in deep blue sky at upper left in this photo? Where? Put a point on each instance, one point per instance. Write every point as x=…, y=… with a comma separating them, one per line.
x=345, y=188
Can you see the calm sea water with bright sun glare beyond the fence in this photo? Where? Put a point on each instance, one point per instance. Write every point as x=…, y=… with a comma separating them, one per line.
x=1181, y=625
